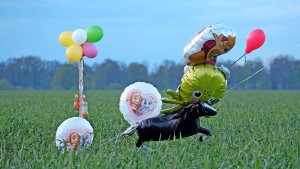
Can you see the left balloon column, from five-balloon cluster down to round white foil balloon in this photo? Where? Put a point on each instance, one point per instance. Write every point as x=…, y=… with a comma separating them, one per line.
x=76, y=133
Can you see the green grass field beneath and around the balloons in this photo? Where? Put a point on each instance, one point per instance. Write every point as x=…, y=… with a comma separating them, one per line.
x=253, y=129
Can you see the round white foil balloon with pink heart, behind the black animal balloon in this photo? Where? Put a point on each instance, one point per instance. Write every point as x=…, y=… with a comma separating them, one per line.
x=140, y=101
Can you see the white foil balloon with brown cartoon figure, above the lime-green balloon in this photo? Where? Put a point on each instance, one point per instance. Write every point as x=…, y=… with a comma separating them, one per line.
x=208, y=44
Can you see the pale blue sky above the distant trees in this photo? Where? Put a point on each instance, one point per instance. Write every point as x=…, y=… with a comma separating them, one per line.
x=145, y=31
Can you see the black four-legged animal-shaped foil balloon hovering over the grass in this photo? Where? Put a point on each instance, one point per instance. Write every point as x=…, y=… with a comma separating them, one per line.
x=184, y=123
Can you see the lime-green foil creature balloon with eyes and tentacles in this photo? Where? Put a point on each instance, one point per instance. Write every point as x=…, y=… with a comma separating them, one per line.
x=203, y=82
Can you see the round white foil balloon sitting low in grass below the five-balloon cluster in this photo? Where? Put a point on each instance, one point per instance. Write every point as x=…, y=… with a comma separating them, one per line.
x=74, y=131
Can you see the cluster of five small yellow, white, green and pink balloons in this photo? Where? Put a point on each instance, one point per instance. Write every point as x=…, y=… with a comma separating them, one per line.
x=81, y=42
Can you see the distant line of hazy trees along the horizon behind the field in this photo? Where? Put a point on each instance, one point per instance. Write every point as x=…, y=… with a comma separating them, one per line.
x=31, y=72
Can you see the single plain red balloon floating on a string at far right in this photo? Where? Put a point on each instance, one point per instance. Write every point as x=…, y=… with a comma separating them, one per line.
x=255, y=39
